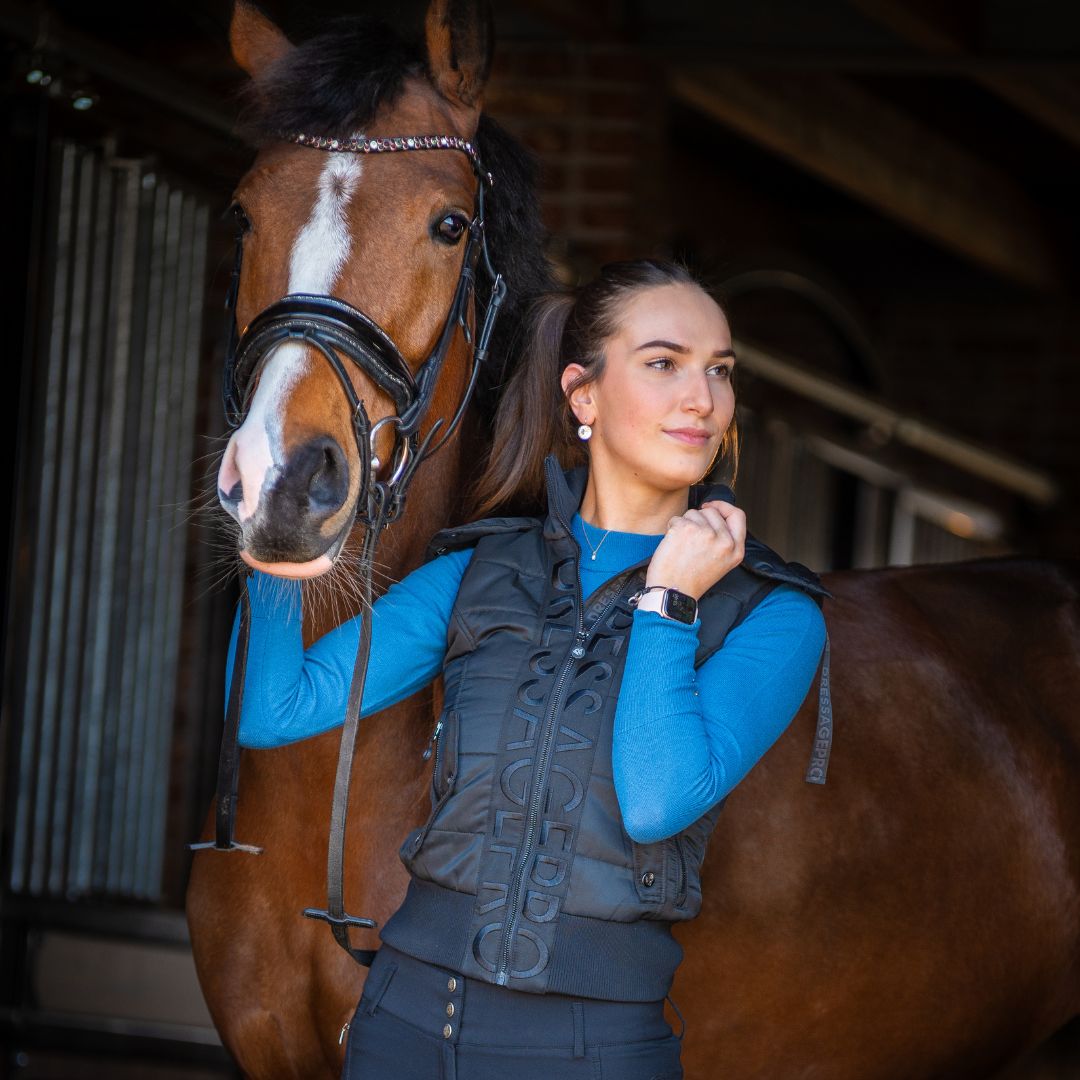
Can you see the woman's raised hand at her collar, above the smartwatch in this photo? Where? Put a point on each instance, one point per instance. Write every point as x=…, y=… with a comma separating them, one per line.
x=699, y=548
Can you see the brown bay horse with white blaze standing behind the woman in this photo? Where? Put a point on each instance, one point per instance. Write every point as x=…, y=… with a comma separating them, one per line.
x=916, y=916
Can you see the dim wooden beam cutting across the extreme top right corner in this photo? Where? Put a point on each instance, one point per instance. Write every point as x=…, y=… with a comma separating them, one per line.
x=1050, y=98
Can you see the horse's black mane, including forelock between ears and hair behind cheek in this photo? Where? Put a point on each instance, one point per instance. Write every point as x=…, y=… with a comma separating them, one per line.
x=334, y=84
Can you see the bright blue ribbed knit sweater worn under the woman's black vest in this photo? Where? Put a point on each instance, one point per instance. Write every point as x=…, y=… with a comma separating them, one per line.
x=682, y=741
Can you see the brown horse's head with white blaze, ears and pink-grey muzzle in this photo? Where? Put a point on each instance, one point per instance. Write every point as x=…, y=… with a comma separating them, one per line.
x=386, y=233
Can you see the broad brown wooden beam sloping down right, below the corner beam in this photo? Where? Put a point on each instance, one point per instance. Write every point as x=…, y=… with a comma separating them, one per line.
x=887, y=159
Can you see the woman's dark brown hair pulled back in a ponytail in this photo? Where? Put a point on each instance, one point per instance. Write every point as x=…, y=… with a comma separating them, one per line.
x=535, y=418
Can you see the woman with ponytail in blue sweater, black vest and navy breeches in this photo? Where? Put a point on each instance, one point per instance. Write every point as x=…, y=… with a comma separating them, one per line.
x=579, y=767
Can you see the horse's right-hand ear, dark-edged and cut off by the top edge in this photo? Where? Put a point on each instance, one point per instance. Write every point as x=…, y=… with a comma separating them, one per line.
x=461, y=44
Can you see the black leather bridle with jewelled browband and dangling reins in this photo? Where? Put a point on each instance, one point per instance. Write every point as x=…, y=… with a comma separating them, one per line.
x=335, y=330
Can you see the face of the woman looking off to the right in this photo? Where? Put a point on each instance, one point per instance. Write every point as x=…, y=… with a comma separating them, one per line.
x=665, y=399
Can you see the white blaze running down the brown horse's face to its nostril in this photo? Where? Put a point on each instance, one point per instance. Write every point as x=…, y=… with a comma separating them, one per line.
x=255, y=455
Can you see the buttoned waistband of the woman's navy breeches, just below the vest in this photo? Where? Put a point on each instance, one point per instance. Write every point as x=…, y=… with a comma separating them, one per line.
x=445, y=1005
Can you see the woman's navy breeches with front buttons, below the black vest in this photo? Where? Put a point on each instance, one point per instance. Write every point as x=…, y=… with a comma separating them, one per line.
x=418, y=1022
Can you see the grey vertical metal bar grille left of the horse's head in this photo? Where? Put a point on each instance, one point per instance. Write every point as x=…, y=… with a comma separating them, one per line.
x=127, y=255
